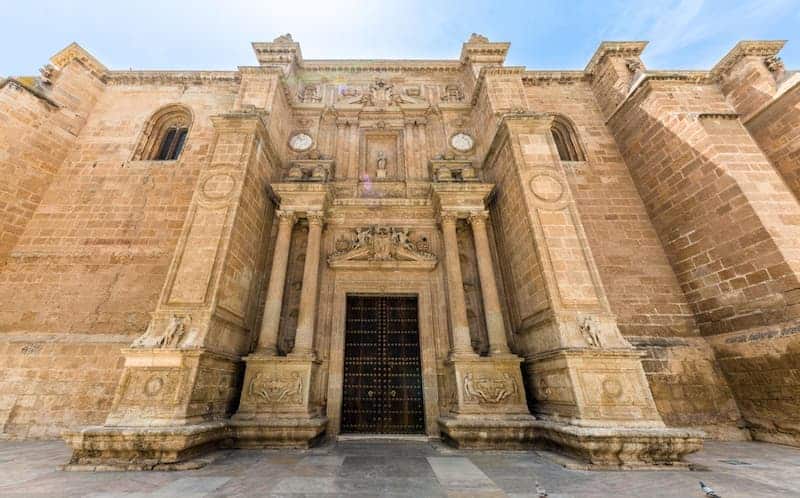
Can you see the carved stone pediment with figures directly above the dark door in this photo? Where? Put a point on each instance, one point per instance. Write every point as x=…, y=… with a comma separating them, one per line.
x=381, y=244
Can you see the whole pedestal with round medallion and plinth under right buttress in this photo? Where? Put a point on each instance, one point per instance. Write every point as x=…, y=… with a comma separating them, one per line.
x=595, y=405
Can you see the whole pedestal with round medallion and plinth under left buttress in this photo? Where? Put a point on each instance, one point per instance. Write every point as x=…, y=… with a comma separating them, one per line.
x=167, y=409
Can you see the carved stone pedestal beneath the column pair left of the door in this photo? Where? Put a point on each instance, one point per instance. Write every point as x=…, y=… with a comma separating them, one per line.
x=276, y=408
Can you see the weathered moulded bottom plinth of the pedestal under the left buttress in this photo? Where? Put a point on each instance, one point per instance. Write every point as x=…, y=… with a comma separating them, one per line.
x=143, y=448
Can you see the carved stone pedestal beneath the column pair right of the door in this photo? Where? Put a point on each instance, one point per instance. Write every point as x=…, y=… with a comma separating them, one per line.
x=490, y=410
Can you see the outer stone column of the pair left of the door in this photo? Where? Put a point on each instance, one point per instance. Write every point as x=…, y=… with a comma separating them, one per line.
x=268, y=337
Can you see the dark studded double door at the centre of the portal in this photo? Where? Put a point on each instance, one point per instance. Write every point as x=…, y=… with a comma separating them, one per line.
x=382, y=375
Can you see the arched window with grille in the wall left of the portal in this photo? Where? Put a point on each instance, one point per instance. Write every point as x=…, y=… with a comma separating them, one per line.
x=165, y=134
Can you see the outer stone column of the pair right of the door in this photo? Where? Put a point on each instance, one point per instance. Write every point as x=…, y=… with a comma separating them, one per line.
x=495, y=326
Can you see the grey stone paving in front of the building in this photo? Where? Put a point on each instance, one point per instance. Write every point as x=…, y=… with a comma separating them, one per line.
x=402, y=468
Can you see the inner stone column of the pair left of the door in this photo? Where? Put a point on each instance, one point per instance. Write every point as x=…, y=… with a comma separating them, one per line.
x=304, y=337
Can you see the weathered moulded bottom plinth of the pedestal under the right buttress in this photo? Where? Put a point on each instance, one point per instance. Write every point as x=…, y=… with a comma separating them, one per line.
x=620, y=447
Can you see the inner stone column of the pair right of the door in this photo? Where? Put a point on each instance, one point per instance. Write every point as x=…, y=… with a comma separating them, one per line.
x=455, y=289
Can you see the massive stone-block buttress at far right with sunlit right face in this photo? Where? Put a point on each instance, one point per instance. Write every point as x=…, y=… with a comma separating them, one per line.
x=725, y=218
